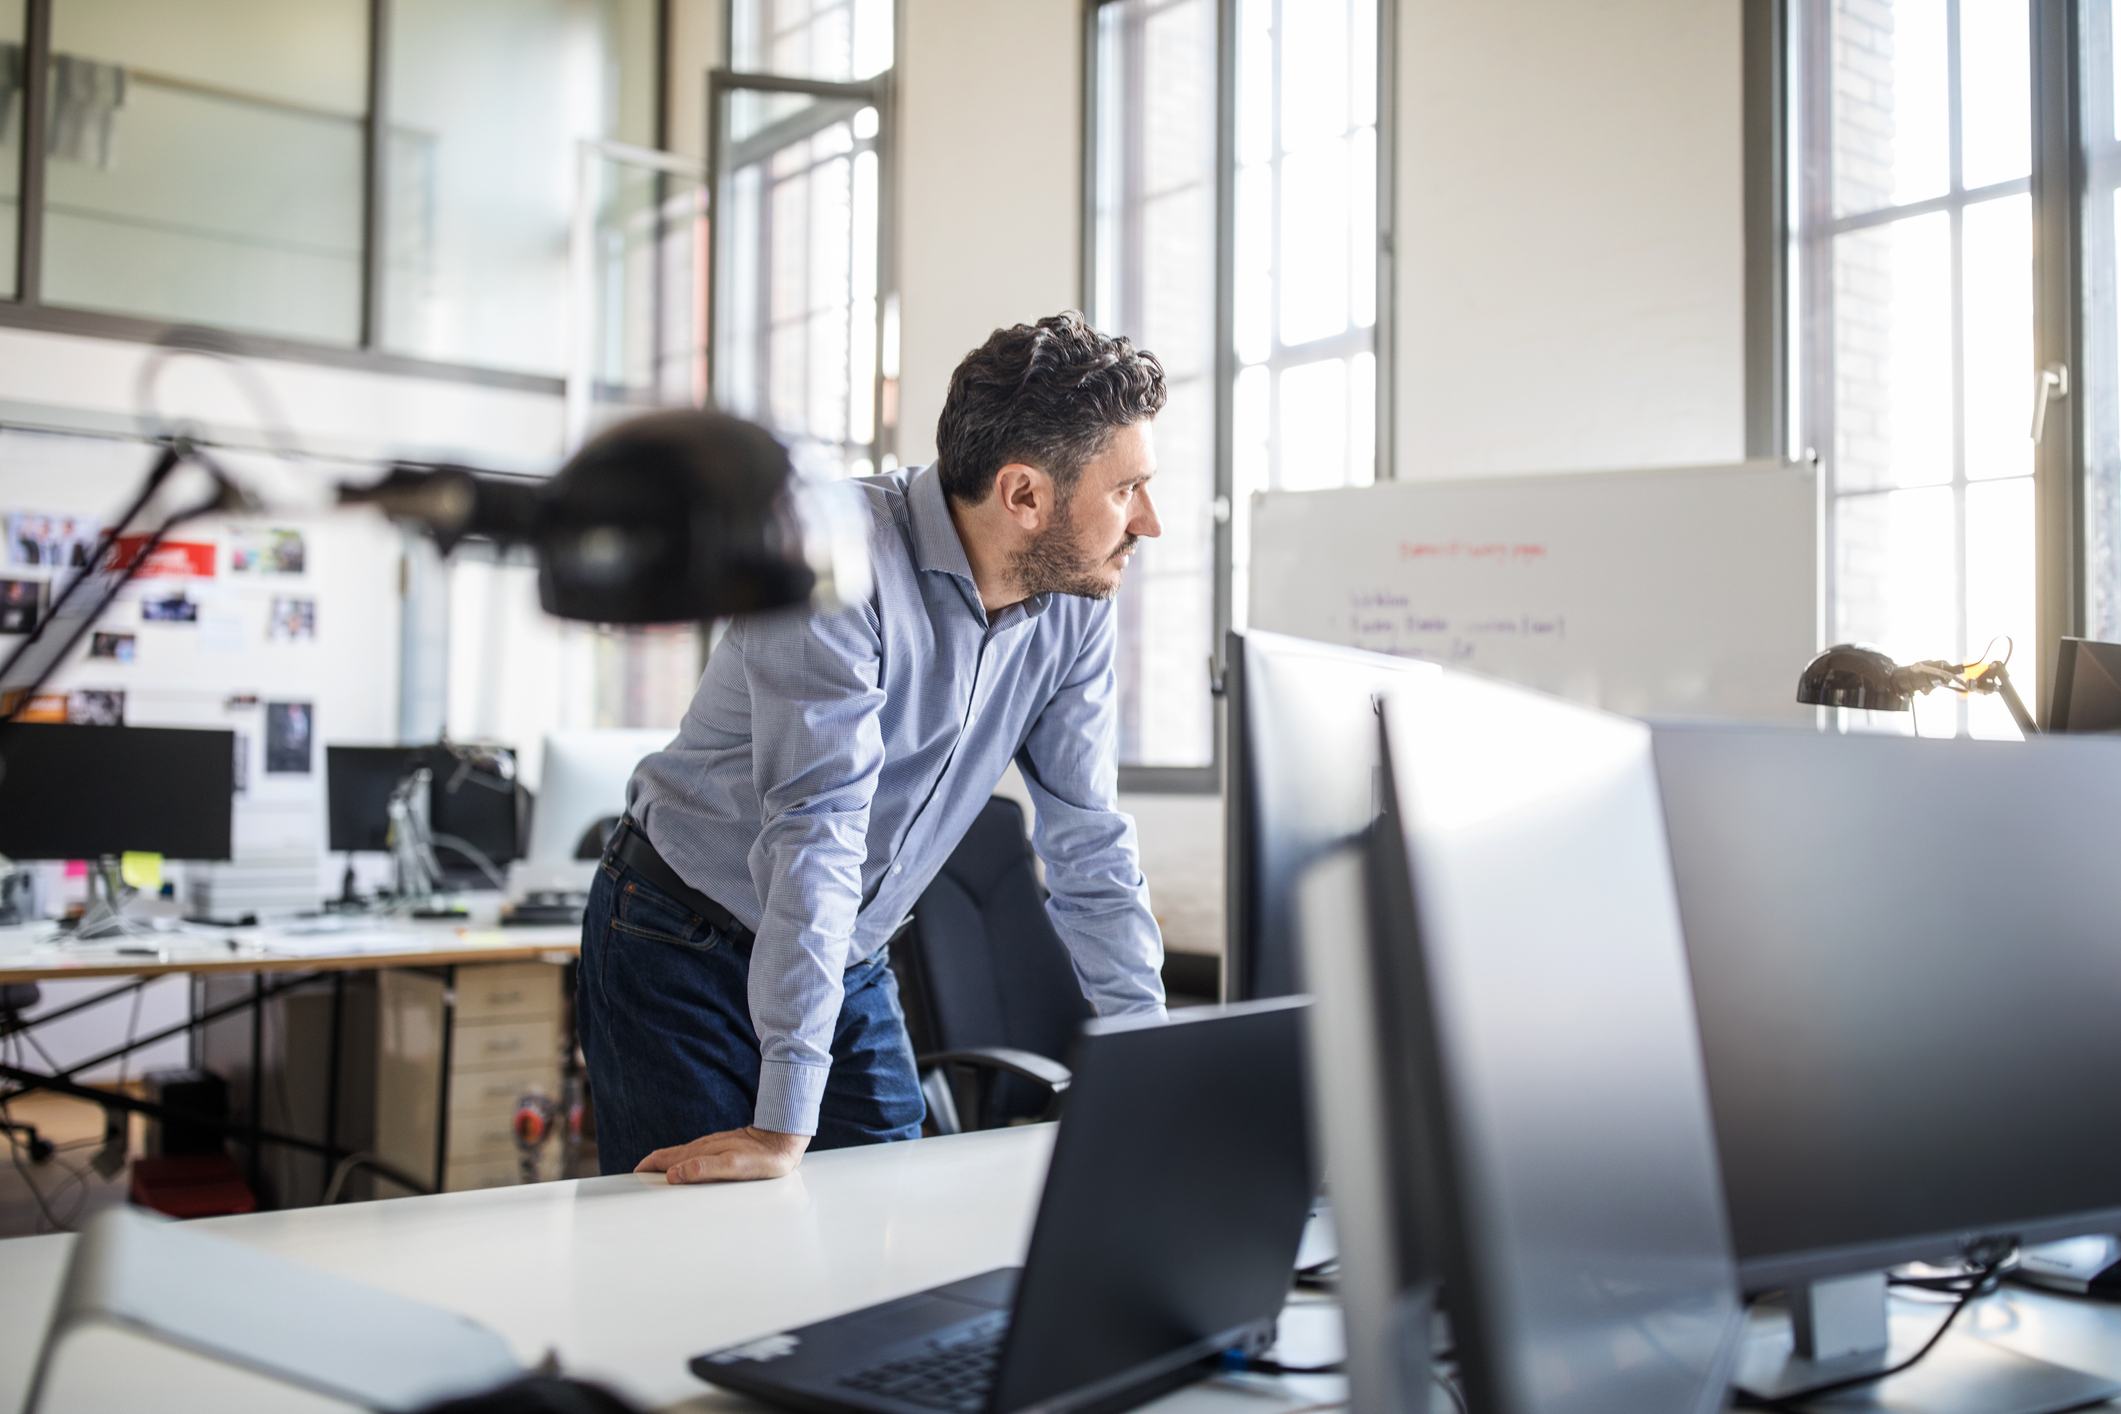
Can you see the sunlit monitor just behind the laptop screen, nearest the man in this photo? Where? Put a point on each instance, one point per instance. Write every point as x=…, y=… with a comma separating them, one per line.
x=1303, y=779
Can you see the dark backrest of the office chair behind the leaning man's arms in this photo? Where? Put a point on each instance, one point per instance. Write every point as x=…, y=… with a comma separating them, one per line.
x=983, y=966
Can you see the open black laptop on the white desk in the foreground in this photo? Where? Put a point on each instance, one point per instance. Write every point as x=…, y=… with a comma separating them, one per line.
x=1165, y=1237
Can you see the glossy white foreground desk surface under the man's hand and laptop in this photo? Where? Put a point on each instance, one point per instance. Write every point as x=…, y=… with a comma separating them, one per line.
x=629, y=1277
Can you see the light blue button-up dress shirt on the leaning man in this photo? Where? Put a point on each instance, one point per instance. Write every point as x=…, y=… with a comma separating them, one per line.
x=830, y=764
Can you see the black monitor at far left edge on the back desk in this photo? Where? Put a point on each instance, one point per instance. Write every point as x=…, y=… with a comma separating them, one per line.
x=97, y=792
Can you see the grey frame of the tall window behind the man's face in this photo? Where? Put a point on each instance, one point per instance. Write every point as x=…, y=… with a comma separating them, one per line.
x=1208, y=779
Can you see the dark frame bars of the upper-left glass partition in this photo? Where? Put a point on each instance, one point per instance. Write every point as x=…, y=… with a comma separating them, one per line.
x=29, y=308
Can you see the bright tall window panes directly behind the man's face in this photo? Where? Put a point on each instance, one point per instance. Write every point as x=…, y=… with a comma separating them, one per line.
x=1269, y=340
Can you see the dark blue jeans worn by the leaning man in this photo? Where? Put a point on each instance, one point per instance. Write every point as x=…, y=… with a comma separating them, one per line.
x=663, y=1006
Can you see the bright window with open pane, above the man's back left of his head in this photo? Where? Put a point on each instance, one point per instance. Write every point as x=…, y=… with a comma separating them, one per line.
x=801, y=169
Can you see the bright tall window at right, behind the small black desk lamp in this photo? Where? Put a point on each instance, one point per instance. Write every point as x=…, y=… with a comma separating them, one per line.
x=1916, y=328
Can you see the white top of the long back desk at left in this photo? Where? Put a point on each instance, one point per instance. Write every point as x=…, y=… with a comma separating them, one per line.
x=27, y=953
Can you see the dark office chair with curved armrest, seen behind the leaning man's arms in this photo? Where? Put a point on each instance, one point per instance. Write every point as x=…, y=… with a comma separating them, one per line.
x=992, y=997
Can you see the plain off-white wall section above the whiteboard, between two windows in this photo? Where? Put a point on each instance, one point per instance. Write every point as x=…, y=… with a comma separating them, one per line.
x=1571, y=232
